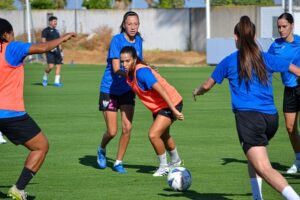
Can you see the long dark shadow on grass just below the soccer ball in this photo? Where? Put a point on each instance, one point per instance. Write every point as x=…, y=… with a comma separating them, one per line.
x=191, y=194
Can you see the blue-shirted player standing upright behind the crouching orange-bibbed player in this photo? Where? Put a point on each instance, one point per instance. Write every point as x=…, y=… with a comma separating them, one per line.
x=115, y=94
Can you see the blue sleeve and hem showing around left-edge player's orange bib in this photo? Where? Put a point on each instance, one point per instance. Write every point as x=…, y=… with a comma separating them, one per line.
x=14, y=55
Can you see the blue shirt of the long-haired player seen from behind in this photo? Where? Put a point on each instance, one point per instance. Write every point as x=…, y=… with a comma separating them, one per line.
x=255, y=97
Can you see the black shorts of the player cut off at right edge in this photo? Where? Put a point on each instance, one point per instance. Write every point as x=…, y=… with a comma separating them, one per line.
x=291, y=99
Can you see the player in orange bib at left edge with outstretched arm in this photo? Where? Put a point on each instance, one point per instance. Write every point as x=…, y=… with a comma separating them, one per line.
x=15, y=123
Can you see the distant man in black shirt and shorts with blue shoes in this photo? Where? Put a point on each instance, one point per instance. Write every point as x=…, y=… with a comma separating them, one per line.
x=55, y=55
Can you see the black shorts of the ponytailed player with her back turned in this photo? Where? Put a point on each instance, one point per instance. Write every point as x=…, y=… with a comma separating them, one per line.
x=255, y=128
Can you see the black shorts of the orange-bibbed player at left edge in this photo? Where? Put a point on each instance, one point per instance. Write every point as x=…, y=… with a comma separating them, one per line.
x=19, y=129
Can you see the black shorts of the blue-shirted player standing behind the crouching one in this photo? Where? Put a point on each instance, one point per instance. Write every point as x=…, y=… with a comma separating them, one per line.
x=110, y=102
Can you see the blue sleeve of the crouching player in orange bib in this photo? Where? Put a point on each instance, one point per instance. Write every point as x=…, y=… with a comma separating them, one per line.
x=145, y=78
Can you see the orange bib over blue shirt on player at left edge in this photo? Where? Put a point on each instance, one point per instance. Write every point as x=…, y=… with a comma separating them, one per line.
x=12, y=78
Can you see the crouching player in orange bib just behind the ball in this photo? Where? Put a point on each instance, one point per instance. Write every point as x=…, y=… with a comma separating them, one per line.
x=161, y=99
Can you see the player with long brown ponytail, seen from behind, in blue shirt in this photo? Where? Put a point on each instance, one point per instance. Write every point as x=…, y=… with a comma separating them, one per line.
x=249, y=72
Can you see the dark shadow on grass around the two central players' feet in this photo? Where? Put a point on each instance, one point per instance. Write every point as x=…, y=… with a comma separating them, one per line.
x=91, y=161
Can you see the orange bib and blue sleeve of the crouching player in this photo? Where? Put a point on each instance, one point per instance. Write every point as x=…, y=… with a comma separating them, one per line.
x=149, y=97
